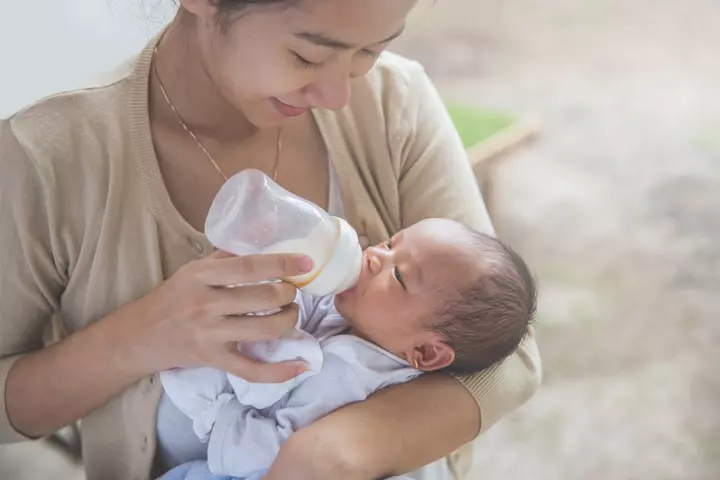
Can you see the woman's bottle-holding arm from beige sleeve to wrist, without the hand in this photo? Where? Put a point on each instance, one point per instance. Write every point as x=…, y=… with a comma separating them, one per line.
x=52, y=387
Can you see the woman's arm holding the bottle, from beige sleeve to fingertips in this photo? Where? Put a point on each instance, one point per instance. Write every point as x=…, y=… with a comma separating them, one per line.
x=181, y=322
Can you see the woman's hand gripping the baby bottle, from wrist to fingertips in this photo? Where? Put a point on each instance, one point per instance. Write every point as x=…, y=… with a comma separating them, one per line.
x=196, y=317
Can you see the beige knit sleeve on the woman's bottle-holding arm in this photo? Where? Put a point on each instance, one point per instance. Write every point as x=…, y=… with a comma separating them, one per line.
x=30, y=282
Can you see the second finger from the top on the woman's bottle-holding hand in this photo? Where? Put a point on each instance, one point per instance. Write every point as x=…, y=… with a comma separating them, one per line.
x=262, y=297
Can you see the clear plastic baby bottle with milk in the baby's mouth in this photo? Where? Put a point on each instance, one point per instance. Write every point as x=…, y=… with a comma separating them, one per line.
x=252, y=214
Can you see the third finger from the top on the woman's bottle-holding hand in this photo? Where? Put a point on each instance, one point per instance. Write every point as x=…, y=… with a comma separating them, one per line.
x=253, y=328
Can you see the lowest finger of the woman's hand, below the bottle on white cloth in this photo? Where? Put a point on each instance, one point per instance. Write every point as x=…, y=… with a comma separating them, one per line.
x=260, y=372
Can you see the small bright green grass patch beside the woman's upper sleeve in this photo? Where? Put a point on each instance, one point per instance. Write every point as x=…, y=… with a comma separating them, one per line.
x=476, y=124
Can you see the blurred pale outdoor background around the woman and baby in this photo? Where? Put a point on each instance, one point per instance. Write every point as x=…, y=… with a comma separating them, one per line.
x=615, y=203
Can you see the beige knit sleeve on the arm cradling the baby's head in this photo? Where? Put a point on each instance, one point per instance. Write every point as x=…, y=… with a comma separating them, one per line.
x=436, y=181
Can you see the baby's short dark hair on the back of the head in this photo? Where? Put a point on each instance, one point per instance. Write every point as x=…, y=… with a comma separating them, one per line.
x=488, y=319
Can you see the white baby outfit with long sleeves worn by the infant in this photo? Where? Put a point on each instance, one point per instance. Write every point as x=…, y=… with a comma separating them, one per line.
x=247, y=423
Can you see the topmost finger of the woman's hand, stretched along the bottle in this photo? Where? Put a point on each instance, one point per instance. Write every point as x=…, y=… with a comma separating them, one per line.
x=221, y=270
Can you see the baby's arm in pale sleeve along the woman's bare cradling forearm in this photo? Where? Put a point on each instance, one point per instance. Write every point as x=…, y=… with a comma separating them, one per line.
x=244, y=441
